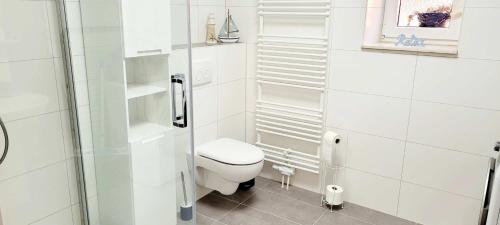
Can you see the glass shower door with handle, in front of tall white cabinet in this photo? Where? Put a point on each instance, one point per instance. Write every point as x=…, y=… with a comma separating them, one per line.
x=137, y=57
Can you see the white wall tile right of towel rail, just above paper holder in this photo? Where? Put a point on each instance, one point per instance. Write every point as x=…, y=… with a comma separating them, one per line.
x=376, y=115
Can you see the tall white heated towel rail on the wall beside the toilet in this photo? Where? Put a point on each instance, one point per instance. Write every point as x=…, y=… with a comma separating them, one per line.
x=290, y=63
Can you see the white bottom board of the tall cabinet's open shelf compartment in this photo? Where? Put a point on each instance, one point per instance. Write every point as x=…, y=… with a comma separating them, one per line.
x=142, y=130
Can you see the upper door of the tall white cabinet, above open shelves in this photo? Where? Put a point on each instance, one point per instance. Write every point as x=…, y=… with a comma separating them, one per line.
x=146, y=27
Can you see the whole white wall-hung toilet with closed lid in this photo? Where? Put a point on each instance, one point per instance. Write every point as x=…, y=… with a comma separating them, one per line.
x=224, y=163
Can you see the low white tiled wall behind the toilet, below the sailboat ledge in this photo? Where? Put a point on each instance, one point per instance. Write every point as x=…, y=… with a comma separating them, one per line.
x=219, y=107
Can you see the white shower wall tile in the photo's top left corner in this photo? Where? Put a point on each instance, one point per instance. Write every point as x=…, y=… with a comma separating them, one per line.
x=27, y=34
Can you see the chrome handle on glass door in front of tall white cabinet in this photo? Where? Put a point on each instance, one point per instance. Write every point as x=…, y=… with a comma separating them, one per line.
x=179, y=116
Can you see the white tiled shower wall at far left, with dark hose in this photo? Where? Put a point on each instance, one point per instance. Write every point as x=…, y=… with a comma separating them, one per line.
x=38, y=180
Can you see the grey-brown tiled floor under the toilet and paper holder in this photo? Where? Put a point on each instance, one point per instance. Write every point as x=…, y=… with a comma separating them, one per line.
x=268, y=204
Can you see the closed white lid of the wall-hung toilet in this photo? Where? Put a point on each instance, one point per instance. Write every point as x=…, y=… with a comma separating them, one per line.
x=231, y=151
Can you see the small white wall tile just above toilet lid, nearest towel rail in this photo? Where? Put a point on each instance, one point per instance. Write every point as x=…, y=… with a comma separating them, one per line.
x=233, y=127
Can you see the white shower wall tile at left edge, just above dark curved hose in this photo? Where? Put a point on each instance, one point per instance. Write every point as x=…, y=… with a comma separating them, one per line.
x=28, y=88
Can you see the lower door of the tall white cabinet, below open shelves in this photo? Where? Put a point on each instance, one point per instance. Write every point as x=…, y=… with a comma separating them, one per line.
x=154, y=180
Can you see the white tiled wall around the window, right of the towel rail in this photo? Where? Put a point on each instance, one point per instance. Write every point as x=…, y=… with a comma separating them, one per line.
x=418, y=130
